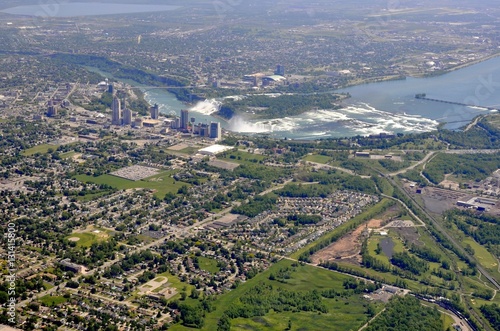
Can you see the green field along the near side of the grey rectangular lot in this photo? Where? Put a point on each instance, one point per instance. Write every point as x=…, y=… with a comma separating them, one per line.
x=162, y=183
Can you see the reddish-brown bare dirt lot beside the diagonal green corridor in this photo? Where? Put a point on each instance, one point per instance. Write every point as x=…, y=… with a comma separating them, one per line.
x=348, y=247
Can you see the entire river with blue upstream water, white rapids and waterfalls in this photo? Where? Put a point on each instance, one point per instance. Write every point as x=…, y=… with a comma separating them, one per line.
x=377, y=107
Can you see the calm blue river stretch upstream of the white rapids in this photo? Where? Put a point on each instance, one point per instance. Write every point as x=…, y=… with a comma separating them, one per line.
x=477, y=85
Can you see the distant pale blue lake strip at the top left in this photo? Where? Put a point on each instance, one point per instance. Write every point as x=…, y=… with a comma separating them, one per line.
x=55, y=9
